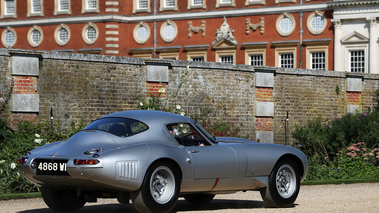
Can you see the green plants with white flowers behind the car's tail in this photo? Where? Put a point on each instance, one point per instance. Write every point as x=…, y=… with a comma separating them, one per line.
x=16, y=143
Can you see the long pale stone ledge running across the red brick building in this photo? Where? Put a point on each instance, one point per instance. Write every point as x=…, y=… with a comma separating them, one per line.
x=163, y=17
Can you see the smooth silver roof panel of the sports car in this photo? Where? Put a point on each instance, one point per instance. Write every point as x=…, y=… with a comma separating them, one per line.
x=151, y=116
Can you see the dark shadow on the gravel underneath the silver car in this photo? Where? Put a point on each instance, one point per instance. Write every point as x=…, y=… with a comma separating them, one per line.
x=216, y=204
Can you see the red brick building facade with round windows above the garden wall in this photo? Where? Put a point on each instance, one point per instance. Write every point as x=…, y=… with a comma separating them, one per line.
x=286, y=33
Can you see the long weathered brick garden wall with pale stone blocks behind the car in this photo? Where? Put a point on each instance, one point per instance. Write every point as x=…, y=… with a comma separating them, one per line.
x=77, y=86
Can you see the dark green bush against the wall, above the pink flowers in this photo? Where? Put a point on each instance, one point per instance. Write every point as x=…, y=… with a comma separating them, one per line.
x=319, y=138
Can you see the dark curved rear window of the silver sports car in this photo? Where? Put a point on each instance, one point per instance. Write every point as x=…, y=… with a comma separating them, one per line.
x=122, y=127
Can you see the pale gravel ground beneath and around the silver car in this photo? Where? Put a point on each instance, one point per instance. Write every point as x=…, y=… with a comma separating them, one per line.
x=323, y=198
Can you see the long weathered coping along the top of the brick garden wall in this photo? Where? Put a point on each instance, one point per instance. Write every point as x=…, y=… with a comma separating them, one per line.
x=180, y=63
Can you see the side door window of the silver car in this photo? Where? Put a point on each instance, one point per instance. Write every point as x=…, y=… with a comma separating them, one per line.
x=186, y=134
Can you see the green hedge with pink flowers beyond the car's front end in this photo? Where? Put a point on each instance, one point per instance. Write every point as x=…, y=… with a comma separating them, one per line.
x=344, y=148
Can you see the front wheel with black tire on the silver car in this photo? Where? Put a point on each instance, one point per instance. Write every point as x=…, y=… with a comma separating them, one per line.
x=283, y=185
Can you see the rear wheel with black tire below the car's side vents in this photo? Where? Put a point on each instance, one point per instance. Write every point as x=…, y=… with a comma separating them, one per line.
x=160, y=189
